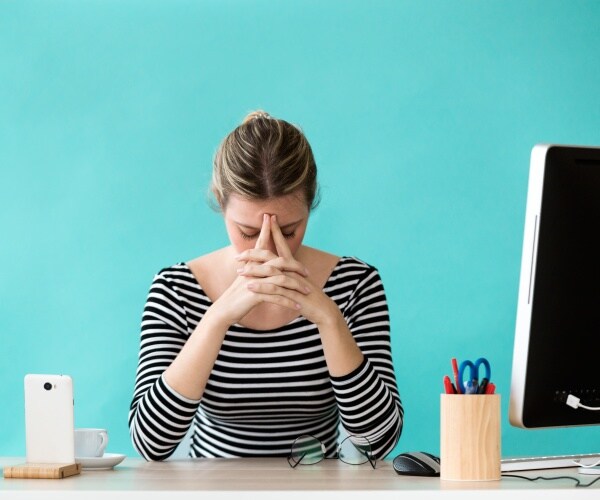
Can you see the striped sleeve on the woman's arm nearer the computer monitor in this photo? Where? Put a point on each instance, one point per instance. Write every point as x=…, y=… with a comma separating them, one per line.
x=368, y=398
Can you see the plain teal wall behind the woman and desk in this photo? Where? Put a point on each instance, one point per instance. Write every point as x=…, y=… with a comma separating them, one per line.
x=422, y=116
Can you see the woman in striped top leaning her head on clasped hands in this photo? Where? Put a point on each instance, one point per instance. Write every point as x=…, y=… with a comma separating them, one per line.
x=267, y=339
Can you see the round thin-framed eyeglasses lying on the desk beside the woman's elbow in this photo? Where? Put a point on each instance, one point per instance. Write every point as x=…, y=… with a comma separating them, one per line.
x=309, y=450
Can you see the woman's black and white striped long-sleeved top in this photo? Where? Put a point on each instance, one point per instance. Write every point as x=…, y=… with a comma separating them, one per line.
x=266, y=387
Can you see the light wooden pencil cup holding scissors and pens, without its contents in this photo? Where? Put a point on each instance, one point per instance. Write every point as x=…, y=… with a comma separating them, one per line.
x=470, y=437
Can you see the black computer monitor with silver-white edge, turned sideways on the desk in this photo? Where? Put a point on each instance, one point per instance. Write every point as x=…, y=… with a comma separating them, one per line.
x=557, y=335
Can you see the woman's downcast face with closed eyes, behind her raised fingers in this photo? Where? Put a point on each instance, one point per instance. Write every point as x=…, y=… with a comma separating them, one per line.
x=244, y=217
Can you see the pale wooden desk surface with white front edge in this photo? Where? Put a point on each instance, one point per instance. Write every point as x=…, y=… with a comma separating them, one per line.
x=274, y=479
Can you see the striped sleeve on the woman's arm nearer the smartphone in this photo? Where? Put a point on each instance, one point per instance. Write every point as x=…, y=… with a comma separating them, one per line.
x=159, y=417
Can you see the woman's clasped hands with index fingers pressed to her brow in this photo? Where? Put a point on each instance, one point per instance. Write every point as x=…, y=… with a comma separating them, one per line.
x=266, y=277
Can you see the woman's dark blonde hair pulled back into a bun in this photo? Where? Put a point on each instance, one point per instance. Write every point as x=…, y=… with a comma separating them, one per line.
x=264, y=158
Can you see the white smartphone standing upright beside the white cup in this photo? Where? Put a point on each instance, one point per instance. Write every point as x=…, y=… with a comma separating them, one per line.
x=49, y=426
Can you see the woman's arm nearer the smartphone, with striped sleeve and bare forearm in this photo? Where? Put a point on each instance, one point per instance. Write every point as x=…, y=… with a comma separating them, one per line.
x=174, y=365
